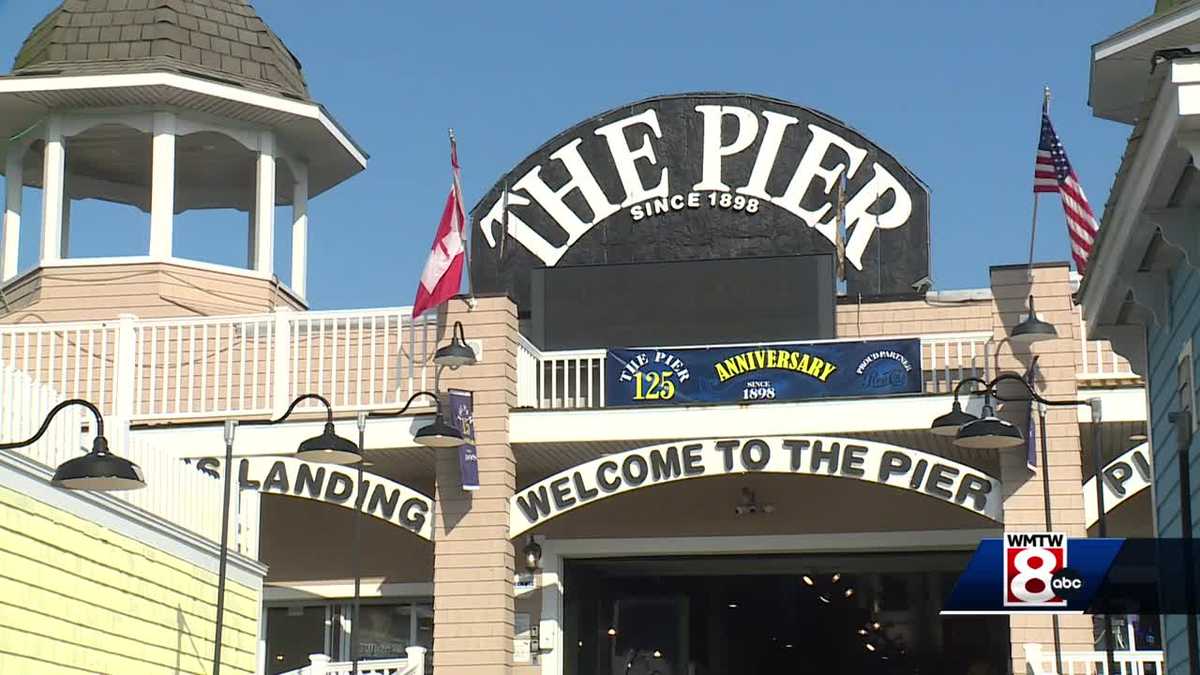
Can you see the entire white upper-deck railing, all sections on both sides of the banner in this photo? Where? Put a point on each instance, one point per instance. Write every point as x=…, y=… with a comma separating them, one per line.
x=193, y=368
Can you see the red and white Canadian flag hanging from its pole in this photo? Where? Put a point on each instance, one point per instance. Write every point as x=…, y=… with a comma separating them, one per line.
x=442, y=277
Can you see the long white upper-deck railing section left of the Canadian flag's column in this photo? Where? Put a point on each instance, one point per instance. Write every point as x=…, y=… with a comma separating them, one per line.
x=232, y=366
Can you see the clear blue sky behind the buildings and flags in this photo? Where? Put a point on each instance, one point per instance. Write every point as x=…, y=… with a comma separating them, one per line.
x=952, y=88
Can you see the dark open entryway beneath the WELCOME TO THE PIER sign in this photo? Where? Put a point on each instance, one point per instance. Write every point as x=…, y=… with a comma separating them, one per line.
x=767, y=616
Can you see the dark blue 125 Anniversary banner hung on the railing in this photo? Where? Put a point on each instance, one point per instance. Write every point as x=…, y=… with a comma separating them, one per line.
x=763, y=373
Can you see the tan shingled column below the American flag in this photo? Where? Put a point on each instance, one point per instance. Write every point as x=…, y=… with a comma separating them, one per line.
x=1024, y=506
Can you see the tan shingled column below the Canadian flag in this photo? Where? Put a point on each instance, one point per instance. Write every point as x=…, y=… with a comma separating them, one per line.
x=473, y=559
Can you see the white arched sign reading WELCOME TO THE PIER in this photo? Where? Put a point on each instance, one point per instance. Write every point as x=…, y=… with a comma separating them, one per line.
x=812, y=456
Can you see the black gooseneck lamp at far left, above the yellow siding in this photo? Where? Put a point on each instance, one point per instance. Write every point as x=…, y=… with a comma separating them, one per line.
x=99, y=470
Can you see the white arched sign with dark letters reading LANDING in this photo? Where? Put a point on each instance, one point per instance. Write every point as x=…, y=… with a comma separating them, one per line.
x=385, y=499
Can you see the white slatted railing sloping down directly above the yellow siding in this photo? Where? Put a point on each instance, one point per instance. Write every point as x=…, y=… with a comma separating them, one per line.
x=175, y=492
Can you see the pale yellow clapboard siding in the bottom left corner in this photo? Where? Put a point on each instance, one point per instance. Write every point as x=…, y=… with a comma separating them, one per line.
x=76, y=598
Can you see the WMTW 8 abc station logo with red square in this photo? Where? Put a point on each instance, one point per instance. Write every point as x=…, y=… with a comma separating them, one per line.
x=1036, y=572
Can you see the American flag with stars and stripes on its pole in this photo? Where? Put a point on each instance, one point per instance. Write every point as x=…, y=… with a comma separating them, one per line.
x=1053, y=174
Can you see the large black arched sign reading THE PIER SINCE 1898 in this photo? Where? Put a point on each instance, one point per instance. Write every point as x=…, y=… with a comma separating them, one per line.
x=703, y=177
